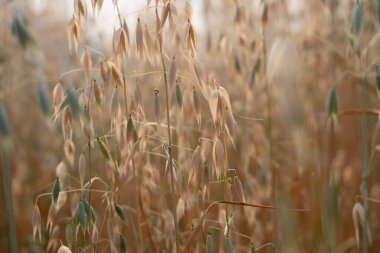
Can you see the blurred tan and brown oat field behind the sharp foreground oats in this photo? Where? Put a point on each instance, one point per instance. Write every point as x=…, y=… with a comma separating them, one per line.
x=304, y=90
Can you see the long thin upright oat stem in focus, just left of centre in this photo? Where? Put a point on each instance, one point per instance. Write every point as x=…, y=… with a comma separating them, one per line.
x=170, y=152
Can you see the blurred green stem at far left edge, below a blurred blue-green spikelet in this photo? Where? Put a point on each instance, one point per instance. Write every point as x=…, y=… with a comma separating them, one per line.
x=8, y=202
